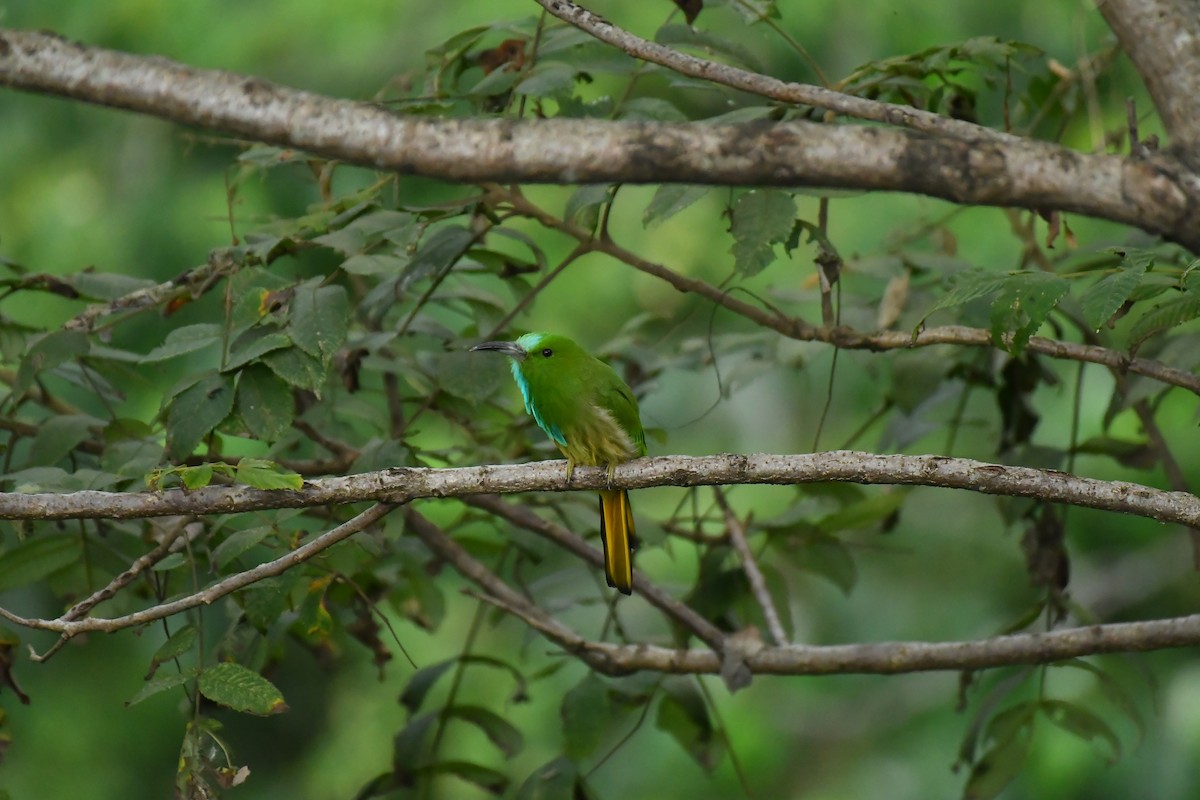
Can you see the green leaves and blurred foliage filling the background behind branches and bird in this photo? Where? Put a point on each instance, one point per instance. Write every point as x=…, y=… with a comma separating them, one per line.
x=332, y=304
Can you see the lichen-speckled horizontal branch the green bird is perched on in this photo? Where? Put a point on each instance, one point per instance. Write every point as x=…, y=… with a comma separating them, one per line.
x=405, y=484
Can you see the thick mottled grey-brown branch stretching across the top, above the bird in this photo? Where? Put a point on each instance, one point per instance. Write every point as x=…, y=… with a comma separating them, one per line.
x=1159, y=195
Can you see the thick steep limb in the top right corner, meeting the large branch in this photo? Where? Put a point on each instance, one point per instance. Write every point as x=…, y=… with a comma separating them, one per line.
x=1162, y=38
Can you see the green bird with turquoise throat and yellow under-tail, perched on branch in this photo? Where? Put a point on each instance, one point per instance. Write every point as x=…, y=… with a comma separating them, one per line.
x=591, y=414
